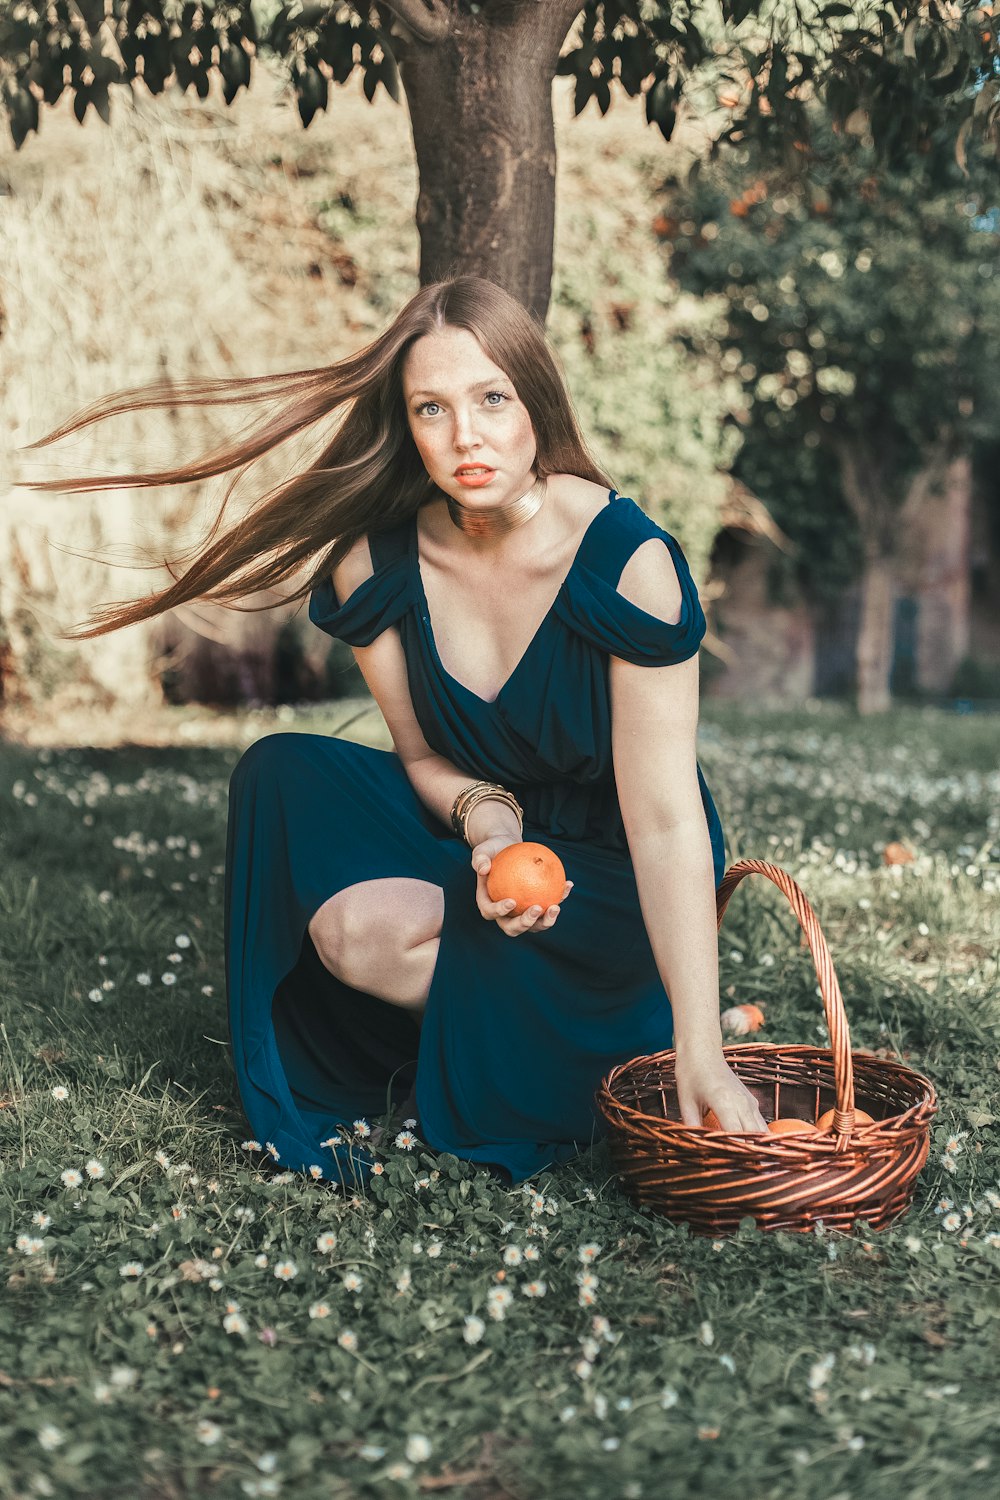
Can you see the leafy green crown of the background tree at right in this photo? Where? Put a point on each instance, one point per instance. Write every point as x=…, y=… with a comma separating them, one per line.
x=863, y=305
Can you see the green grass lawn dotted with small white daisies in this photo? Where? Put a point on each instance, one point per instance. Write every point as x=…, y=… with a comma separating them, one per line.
x=155, y=1342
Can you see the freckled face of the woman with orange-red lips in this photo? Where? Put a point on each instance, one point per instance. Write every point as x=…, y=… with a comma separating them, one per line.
x=472, y=431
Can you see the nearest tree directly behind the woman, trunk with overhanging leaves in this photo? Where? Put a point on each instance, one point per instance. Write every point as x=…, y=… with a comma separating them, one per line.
x=478, y=79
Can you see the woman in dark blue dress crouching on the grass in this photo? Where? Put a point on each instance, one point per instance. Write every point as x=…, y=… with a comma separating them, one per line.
x=531, y=640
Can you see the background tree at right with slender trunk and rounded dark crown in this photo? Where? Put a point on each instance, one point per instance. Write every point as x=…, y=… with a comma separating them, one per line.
x=861, y=308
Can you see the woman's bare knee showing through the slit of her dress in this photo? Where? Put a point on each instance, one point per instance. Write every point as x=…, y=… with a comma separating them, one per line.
x=382, y=937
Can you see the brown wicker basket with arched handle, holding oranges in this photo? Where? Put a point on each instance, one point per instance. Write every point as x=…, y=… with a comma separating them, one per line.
x=713, y=1180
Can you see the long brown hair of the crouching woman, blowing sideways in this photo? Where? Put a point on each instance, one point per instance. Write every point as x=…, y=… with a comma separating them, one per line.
x=370, y=478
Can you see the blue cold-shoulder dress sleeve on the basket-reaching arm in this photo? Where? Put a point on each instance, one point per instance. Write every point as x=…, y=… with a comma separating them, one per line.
x=593, y=607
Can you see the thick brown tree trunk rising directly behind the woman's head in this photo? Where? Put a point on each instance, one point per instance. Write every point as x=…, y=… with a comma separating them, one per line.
x=481, y=109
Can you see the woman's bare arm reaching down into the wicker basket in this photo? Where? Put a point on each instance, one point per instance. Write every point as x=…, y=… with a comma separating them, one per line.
x=654, y=725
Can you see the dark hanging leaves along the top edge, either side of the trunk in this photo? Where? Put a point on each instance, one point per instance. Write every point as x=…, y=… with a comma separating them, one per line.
x=911, y=65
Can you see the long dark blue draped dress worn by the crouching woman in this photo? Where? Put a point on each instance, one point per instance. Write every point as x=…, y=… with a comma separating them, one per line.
x=518, y=1033
